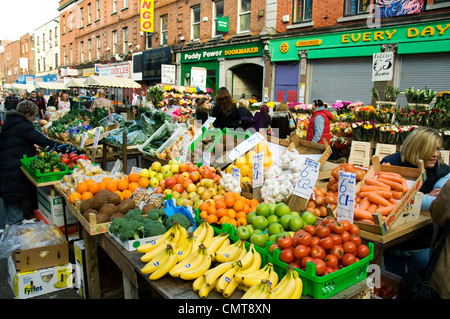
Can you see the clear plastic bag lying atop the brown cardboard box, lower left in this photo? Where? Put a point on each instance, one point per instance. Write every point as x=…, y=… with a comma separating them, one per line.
x=27, y=236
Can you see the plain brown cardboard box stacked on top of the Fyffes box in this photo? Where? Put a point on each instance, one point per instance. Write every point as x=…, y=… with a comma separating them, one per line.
x=41, y=257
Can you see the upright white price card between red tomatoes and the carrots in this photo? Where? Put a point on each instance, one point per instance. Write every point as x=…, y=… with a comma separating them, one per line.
x=346, y=196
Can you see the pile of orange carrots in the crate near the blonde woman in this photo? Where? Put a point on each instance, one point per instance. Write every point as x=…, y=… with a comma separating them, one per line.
x=379, y=193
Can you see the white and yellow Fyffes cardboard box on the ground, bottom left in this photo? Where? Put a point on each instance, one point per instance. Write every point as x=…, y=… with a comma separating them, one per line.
x=30, y=284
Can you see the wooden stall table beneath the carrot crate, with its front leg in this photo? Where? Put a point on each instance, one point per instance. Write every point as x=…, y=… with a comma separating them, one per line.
x=397, y=233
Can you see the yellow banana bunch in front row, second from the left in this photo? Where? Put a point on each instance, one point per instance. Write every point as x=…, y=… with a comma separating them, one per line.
x=193, y=266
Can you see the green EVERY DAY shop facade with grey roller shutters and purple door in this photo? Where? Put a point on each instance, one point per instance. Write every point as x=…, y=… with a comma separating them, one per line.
x=338, y=66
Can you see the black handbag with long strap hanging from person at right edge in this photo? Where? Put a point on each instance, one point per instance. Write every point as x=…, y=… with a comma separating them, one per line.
x=415, y=284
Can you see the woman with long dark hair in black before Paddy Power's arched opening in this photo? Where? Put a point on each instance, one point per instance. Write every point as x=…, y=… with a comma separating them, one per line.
x=225, y=110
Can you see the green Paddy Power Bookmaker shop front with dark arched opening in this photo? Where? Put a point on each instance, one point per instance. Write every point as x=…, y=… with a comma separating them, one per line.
x=239, y=68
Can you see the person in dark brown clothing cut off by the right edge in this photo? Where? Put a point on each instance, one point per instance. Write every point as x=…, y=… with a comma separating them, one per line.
x=440, y=213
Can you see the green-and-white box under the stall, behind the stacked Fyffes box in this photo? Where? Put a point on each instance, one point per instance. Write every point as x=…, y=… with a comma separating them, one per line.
x=51, y=204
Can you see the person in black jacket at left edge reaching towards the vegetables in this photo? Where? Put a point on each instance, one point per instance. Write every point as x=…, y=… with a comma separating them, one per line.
x=18, y=138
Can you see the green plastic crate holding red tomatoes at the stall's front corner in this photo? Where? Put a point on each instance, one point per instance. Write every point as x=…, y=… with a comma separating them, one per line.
x=323, y=287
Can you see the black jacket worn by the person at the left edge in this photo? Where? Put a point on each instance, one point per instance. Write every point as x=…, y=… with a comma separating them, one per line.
x=17, y=138
